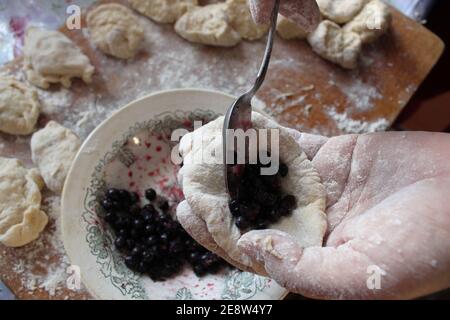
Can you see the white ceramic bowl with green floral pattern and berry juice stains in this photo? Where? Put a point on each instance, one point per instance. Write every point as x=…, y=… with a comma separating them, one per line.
x=132, y=150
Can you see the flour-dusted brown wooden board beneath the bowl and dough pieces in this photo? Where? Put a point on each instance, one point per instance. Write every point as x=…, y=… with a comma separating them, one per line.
x=302, y=90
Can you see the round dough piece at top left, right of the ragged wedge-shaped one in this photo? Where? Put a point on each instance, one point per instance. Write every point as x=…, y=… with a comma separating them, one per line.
x=115, y=30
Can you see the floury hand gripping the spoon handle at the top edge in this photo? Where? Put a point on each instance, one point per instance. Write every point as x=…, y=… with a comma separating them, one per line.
x=305, y=13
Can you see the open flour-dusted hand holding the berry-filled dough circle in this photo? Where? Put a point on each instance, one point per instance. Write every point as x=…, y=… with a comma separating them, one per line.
x=387, y=207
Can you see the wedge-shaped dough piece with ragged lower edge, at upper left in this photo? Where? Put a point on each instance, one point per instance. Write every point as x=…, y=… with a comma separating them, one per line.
x=51, y=57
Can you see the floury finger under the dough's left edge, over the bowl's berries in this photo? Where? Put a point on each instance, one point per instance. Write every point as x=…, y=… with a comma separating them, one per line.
x=197, y=229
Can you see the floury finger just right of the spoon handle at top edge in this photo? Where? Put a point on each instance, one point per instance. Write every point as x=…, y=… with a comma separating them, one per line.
x=305, y=13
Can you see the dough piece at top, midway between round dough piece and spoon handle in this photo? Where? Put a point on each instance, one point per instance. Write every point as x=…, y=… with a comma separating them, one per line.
x=208, y=25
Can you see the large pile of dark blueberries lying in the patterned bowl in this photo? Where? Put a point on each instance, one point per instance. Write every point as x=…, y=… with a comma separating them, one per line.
x=150, y=240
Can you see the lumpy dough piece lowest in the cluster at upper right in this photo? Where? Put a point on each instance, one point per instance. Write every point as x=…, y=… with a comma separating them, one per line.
x=333, y=44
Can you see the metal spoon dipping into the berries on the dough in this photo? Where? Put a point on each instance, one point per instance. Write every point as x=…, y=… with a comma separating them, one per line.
x=239, y=115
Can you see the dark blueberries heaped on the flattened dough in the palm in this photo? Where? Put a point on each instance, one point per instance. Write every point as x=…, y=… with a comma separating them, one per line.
x=260, y=201
